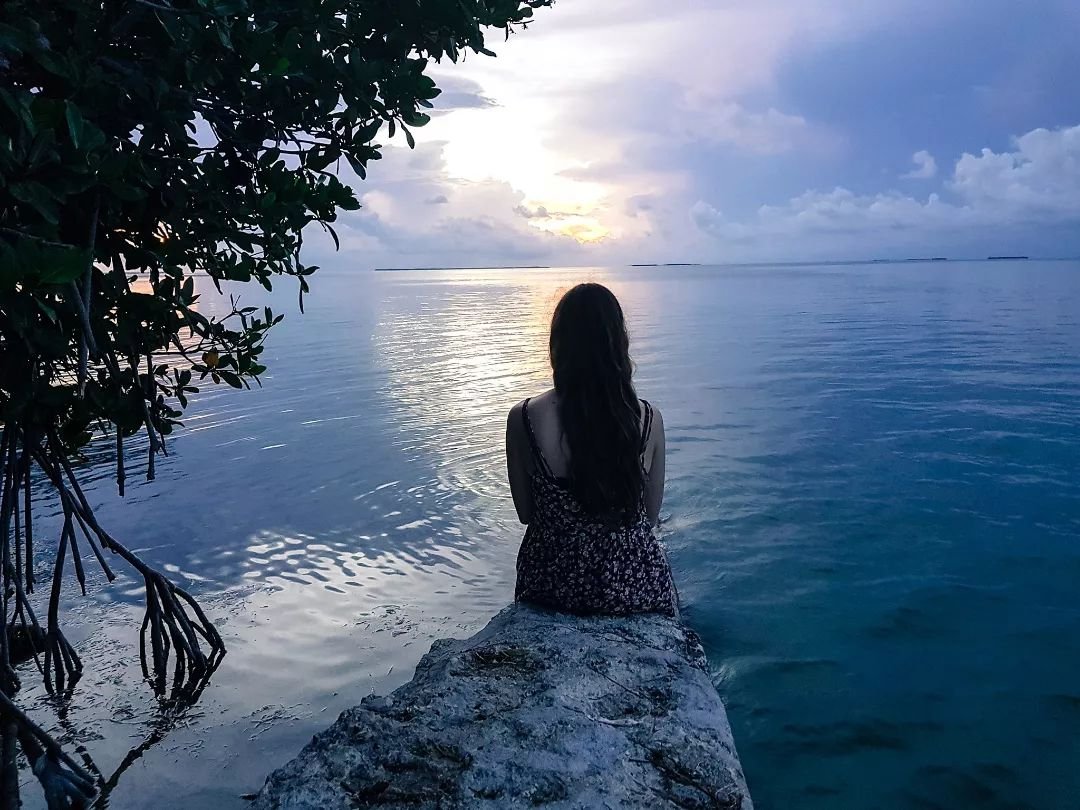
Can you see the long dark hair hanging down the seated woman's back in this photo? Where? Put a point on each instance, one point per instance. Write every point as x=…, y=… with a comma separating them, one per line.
x=598, y=406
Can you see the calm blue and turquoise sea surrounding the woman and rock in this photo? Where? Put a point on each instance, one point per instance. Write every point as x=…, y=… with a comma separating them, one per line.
x=873, y=516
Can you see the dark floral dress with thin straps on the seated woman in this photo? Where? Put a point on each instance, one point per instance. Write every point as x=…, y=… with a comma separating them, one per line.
x=575, y=563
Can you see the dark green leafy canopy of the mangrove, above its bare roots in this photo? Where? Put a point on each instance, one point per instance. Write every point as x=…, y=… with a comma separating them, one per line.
x=169, y=138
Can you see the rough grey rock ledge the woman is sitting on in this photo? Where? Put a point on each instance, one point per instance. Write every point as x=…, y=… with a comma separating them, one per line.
x=537, y=710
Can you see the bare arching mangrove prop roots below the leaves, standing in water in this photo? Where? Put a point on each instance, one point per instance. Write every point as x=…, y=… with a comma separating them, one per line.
x=170, y=634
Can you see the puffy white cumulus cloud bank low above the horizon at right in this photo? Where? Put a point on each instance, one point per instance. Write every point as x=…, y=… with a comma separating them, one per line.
x=1037, y=183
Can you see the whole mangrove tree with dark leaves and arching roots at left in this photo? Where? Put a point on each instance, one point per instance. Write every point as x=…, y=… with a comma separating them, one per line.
x=143, y=142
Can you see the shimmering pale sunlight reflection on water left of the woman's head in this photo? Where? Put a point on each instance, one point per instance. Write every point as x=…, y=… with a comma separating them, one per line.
x=456, y=362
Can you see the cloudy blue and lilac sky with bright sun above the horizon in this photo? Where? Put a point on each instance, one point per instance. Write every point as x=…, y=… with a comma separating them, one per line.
x=634, y=131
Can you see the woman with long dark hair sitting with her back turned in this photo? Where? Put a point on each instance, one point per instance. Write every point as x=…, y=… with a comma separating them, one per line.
x=587, y=471
